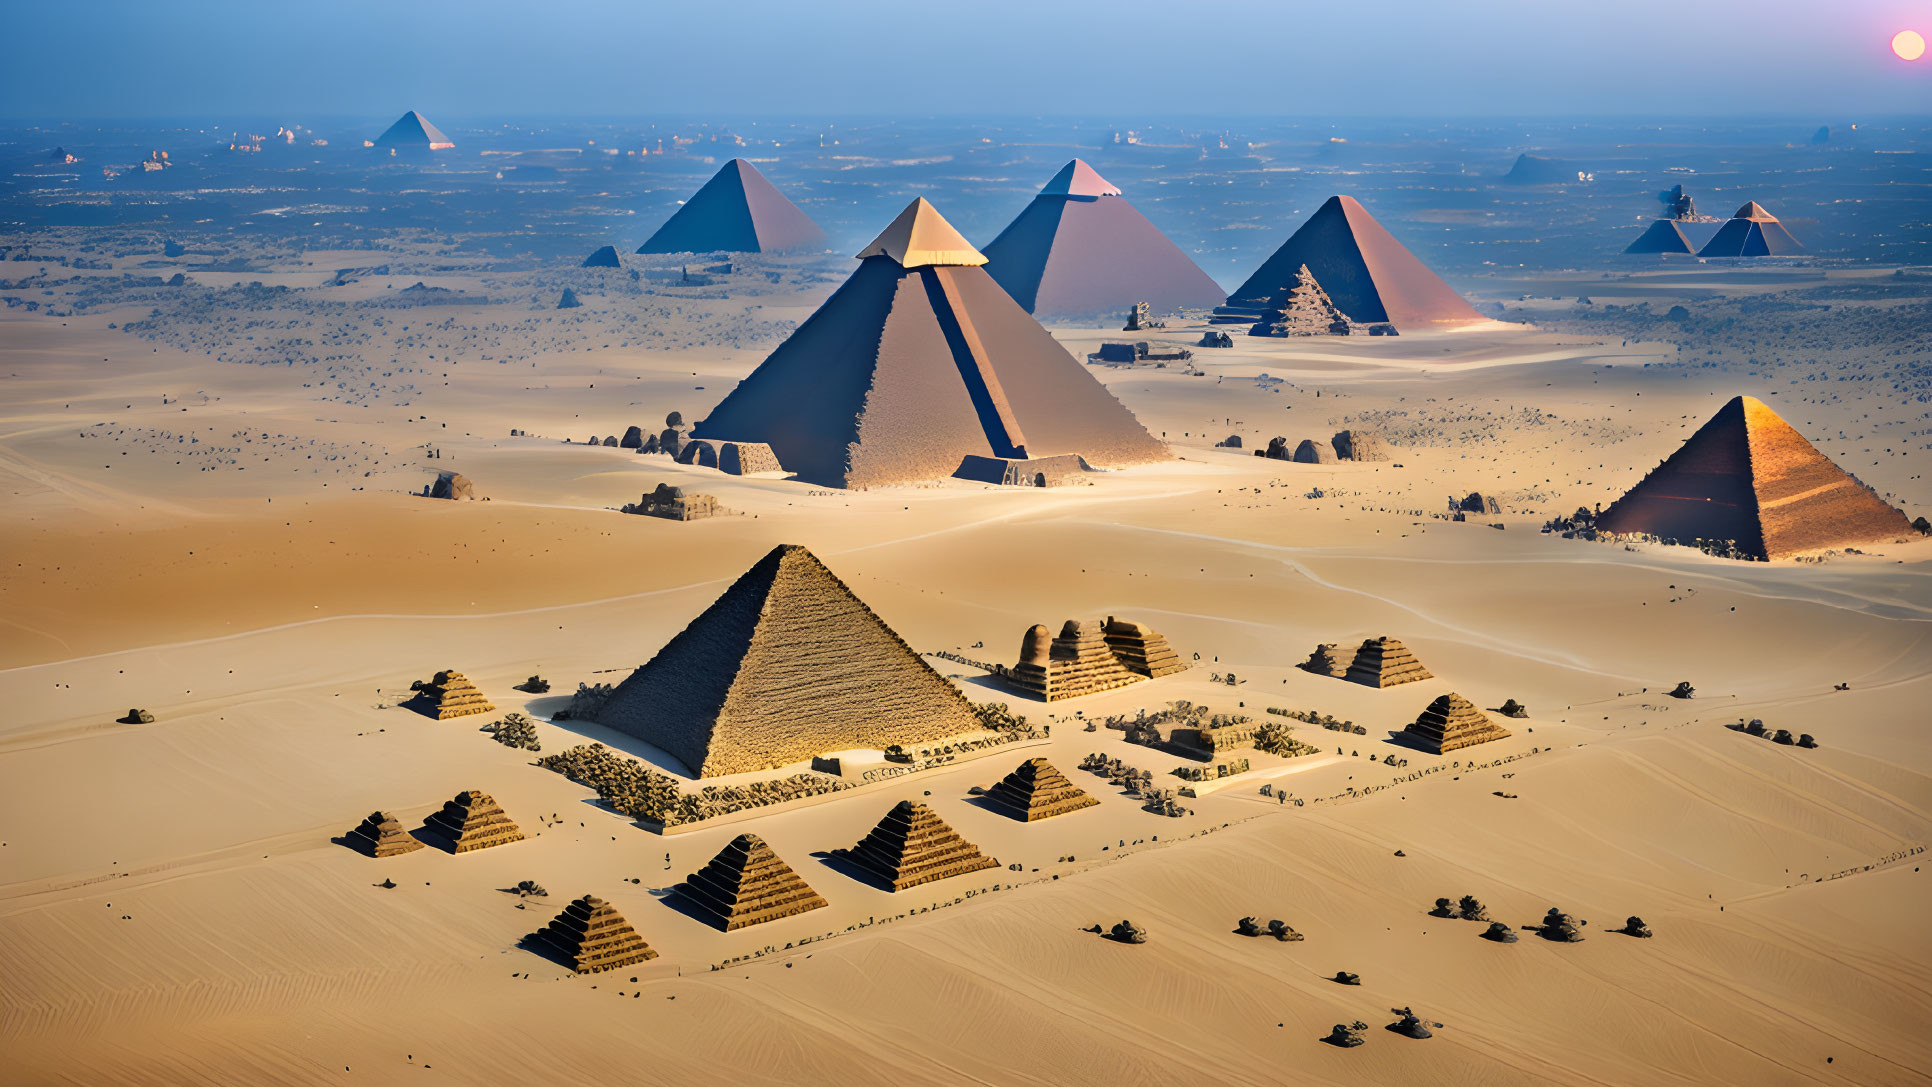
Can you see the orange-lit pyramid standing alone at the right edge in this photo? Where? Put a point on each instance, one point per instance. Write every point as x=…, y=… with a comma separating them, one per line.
x=1749, y=478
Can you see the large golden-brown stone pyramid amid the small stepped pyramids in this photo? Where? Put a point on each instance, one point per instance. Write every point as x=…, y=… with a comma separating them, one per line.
x=783, y=667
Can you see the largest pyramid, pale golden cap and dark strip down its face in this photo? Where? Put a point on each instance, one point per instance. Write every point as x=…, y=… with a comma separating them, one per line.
x=917, y=364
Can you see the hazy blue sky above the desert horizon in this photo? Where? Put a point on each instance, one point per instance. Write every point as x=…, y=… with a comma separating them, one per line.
x=107, y=59
